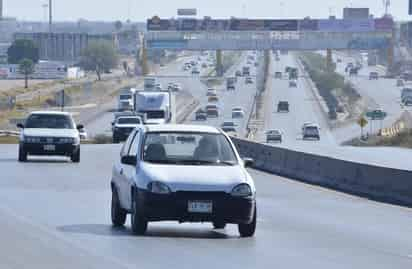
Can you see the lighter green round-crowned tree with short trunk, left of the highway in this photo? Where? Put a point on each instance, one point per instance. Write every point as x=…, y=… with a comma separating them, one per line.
x=99, y=56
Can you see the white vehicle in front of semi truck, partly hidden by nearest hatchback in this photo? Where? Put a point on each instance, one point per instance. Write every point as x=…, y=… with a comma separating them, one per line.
x=123, y=126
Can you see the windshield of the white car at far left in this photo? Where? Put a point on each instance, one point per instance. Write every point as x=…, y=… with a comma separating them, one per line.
x=49, y=121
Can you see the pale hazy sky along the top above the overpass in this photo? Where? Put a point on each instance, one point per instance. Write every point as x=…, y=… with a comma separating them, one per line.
x=139, y=10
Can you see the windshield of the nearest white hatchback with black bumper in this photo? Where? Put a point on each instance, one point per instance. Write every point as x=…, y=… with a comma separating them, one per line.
x=188, y=149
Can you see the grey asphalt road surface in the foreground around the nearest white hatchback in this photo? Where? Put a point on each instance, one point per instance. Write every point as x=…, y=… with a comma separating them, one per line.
x=56, y=214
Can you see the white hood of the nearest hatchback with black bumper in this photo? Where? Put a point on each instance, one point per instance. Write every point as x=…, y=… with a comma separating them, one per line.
x=194, y=177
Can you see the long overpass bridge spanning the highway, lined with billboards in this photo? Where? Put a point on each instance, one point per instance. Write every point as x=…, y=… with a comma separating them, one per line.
x=254, y=34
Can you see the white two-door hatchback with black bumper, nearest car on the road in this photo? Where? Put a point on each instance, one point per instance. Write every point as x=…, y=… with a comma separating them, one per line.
x=184, y=173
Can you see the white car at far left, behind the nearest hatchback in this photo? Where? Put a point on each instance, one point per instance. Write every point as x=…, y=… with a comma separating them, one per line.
x=49, y=133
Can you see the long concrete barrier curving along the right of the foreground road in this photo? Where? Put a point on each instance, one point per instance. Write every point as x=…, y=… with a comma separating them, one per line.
x=379, y=183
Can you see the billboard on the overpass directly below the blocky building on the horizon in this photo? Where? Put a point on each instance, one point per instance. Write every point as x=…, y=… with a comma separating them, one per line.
x=333, y=25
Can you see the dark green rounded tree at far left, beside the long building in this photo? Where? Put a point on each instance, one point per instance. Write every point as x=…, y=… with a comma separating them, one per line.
x=22, y=49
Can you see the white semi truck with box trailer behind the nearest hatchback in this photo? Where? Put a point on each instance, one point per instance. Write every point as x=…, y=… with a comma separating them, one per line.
x=156, y=107
